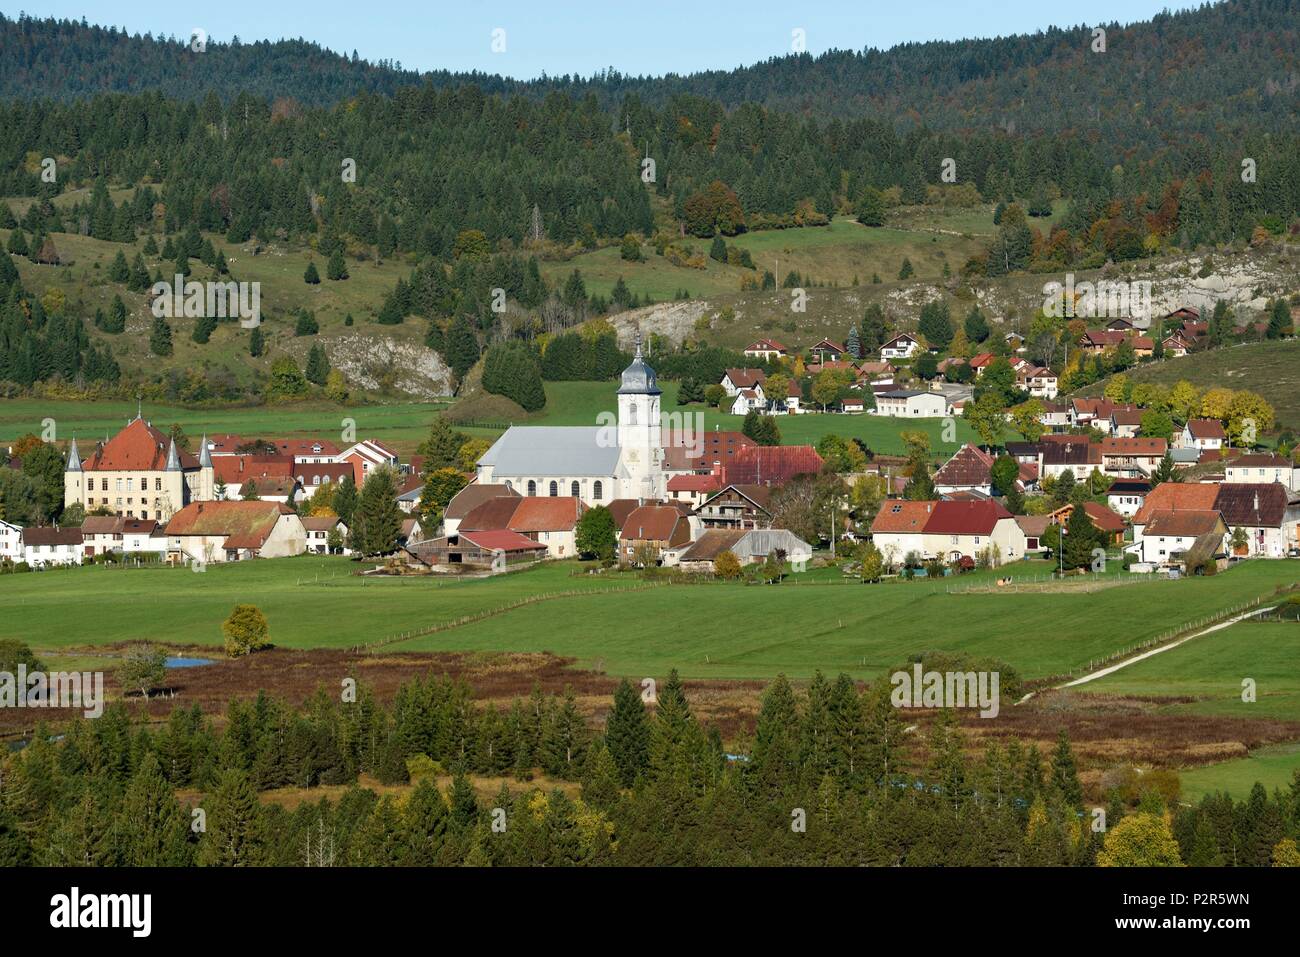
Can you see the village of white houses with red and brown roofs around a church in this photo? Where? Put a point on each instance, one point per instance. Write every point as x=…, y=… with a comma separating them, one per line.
x=695, y=500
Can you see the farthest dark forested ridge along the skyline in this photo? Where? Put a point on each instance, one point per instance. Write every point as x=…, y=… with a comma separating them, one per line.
x=1229, y=66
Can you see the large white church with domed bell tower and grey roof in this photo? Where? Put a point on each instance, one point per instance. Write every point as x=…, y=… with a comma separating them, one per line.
x=622, y=458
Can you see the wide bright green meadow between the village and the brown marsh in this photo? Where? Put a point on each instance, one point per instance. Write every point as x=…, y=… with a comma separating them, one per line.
x=707, y=631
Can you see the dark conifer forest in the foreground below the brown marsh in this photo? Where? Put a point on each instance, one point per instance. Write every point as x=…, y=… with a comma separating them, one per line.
x=831, y=780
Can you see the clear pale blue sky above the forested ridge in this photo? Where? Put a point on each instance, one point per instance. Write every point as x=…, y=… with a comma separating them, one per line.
x=636, y=37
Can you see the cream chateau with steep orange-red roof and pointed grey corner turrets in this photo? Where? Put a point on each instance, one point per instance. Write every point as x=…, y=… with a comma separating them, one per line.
x=138, y=474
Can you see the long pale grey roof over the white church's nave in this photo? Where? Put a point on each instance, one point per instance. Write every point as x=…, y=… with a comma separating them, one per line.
x=551, y=451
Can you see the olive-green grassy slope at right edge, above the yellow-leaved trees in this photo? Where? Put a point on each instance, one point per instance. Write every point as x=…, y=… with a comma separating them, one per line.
x=1269, y=369
